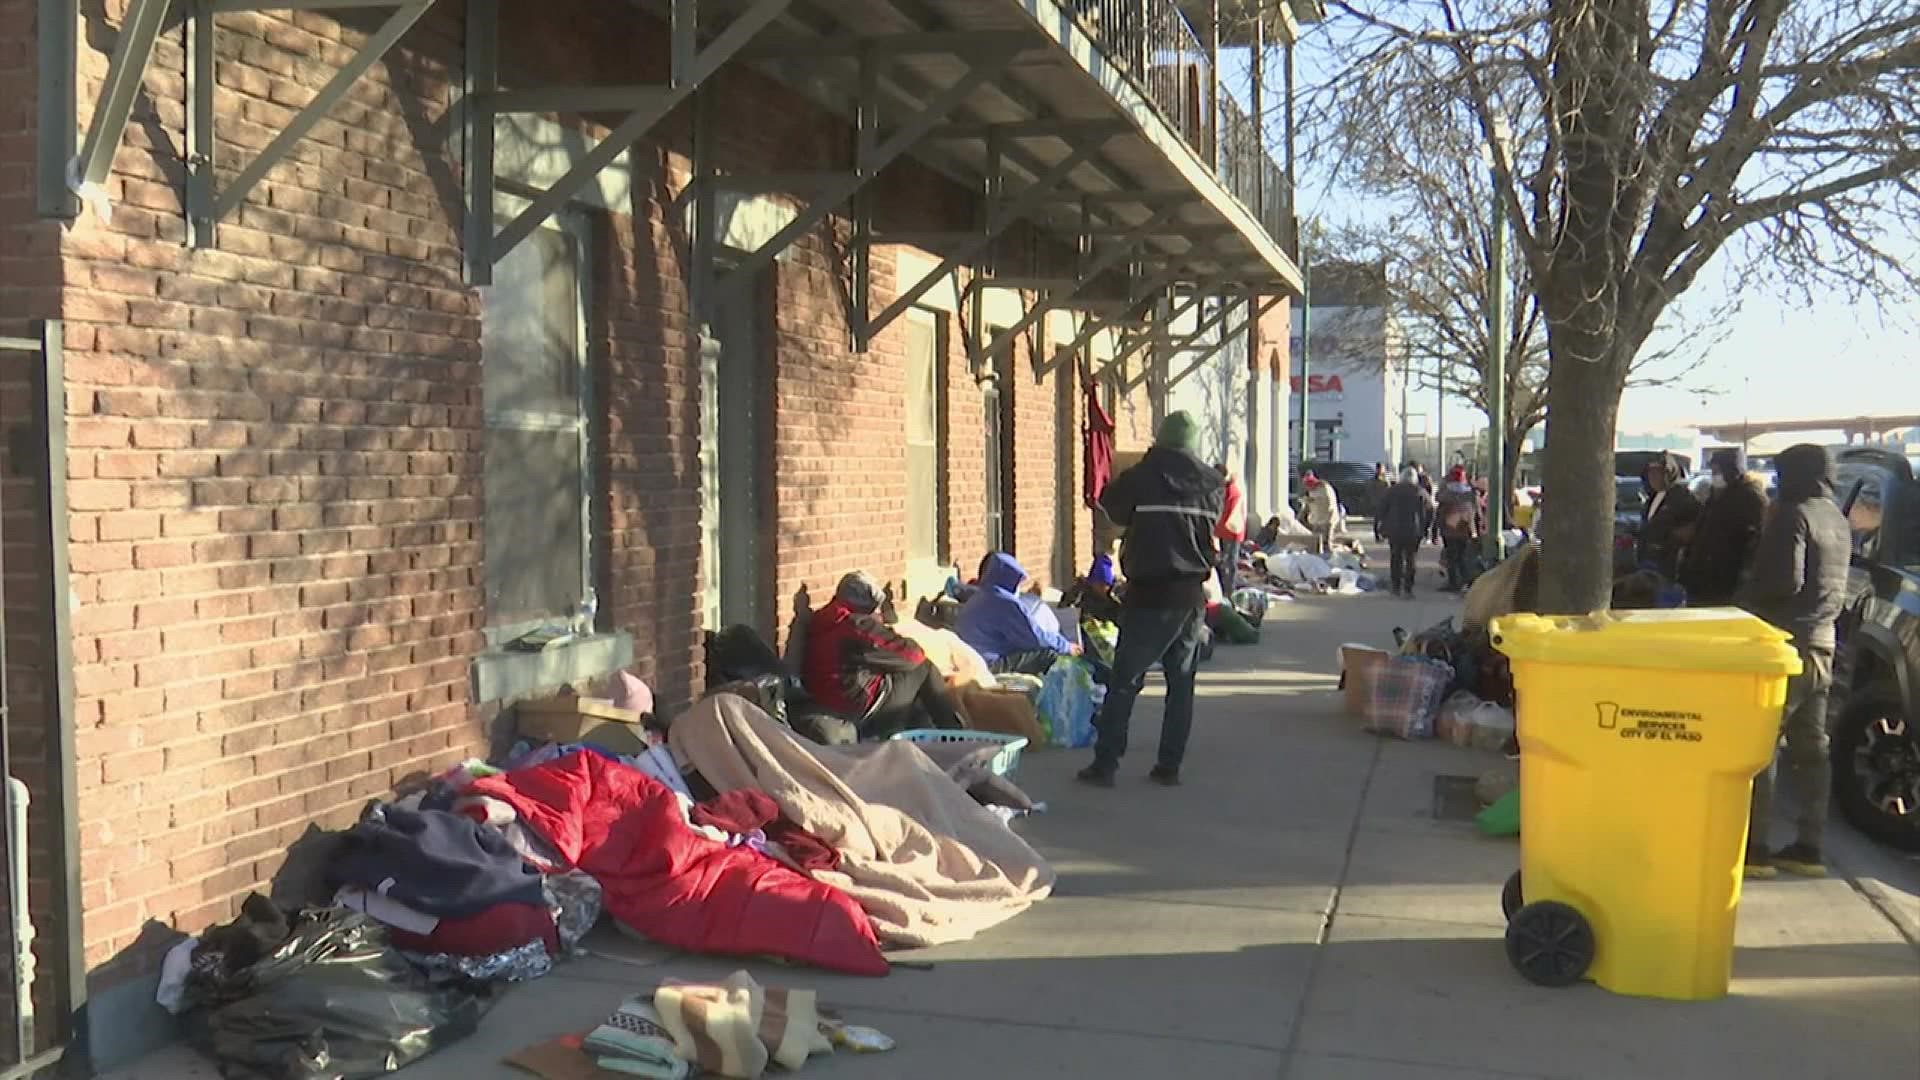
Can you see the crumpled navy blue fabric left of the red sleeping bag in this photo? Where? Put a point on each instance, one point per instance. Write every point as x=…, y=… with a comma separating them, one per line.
x=435, y=862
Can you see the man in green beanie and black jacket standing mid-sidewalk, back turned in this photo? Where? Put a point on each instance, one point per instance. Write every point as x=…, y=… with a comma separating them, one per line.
x=1168, y=504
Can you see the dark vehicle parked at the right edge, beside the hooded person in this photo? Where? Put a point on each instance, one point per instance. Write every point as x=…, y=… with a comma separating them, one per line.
x=1875, y=714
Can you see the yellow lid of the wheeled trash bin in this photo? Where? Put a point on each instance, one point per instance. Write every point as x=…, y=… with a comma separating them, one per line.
x=1691, y=639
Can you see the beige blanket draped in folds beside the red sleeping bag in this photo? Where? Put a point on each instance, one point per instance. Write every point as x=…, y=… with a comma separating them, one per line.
x=917, y=852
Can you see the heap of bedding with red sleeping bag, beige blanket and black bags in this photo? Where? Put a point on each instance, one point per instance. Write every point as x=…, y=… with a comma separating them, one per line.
x=729, y=835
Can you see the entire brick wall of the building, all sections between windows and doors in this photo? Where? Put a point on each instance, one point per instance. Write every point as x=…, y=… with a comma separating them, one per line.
x=277, y=443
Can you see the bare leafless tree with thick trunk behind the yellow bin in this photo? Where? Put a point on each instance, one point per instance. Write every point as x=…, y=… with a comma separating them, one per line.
x=1648, y=137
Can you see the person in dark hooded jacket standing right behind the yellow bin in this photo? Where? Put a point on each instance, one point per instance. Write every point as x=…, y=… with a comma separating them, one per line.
x=1800, y=583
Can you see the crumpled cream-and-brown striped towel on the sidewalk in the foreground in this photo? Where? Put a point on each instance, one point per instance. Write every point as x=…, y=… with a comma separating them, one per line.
x=734, y=1029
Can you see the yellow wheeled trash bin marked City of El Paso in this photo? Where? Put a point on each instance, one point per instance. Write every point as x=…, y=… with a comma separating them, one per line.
x=1641, y=735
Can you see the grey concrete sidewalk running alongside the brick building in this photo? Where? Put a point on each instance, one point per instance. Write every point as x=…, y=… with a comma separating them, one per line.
x=1293, y=912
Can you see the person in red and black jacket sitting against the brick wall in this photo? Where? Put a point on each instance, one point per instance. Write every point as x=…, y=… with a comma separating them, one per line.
x=859, y=668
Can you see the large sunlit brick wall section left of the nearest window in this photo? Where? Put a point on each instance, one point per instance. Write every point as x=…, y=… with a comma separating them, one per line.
x=276, y=478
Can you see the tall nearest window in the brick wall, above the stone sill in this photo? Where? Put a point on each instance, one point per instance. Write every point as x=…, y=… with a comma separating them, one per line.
x=535, y=383
